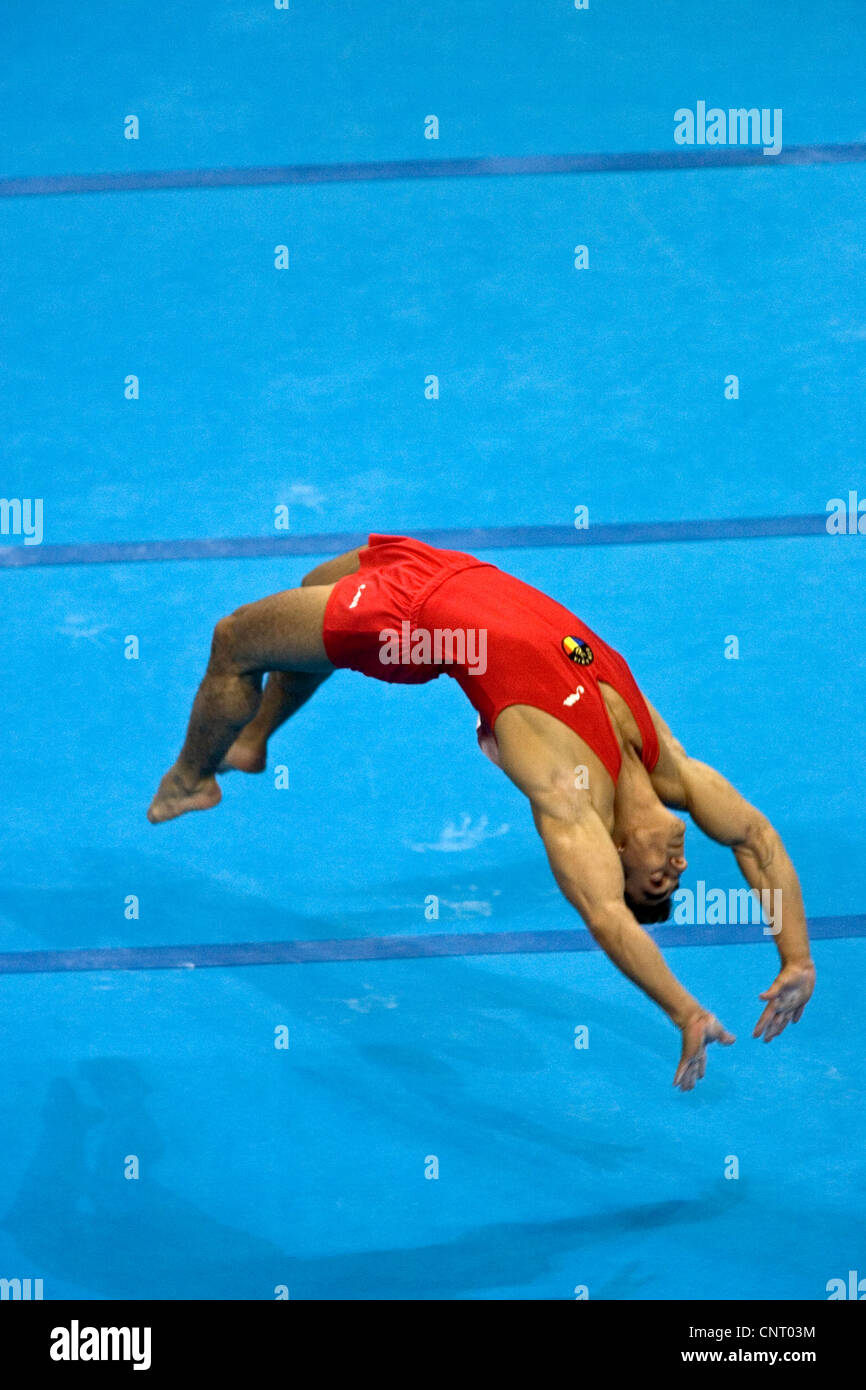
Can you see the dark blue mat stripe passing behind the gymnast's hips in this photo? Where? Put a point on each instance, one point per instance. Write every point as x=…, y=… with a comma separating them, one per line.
x=455, y=539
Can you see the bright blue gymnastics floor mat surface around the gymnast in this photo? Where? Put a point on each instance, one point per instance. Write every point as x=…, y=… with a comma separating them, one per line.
x=304, y=1168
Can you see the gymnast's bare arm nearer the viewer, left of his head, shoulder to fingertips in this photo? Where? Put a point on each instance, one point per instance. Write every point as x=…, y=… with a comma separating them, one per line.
x=590, y=875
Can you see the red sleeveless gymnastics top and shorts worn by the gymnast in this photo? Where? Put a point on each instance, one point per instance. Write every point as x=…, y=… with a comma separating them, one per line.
x=414, y=612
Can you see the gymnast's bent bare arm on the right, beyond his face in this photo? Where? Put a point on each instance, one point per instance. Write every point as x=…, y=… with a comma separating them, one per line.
x=728, y=818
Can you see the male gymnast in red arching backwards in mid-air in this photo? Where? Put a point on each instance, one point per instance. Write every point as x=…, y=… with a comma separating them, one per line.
x=559, y=712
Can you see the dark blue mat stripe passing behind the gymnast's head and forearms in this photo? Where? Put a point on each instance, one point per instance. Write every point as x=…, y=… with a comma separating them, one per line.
x=391, y=949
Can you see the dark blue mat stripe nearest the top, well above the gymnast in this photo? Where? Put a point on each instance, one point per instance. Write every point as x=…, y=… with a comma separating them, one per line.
x=471, y=167
